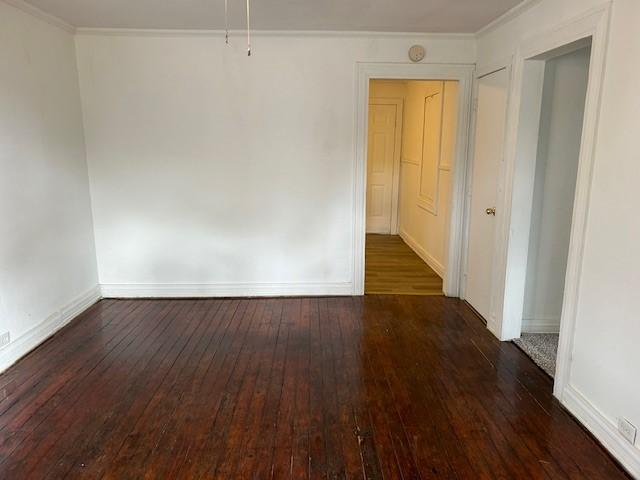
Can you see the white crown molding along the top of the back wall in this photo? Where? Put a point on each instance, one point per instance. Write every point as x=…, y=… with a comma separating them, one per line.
x=154, y=32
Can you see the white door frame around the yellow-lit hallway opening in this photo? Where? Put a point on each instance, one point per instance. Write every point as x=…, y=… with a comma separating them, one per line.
x=399, y=71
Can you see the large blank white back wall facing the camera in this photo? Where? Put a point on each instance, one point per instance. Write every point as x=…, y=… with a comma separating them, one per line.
x=216, y=173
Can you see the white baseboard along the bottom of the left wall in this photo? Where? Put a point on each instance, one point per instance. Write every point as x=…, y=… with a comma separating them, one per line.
x=22, y=345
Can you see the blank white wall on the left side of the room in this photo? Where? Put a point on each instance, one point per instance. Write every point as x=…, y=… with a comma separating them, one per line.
x=47, y=256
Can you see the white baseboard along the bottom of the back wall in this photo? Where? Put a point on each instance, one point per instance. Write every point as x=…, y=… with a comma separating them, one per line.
x=116, y=290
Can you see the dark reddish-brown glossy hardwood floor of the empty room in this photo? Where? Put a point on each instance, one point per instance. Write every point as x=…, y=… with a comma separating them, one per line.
x=393, y=387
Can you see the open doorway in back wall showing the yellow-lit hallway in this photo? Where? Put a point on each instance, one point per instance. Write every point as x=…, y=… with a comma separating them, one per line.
x=411, y=141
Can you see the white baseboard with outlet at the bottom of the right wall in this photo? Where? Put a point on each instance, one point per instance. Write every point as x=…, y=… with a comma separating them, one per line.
x=603, y=429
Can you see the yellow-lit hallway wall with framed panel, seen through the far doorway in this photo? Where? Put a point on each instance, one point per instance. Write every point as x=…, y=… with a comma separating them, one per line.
x=426, y=230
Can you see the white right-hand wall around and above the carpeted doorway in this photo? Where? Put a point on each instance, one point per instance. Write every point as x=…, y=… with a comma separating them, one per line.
x=604, y=371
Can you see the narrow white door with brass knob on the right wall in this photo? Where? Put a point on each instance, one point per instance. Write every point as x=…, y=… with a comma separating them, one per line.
x=488, y=152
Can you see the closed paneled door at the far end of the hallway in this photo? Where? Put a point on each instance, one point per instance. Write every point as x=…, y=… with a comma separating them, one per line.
x=385, y=116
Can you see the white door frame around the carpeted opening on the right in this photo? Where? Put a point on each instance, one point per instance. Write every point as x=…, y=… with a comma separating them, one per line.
x=510, y=237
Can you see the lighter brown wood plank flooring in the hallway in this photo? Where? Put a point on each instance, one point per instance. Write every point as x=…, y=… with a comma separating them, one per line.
x=391, y=267
